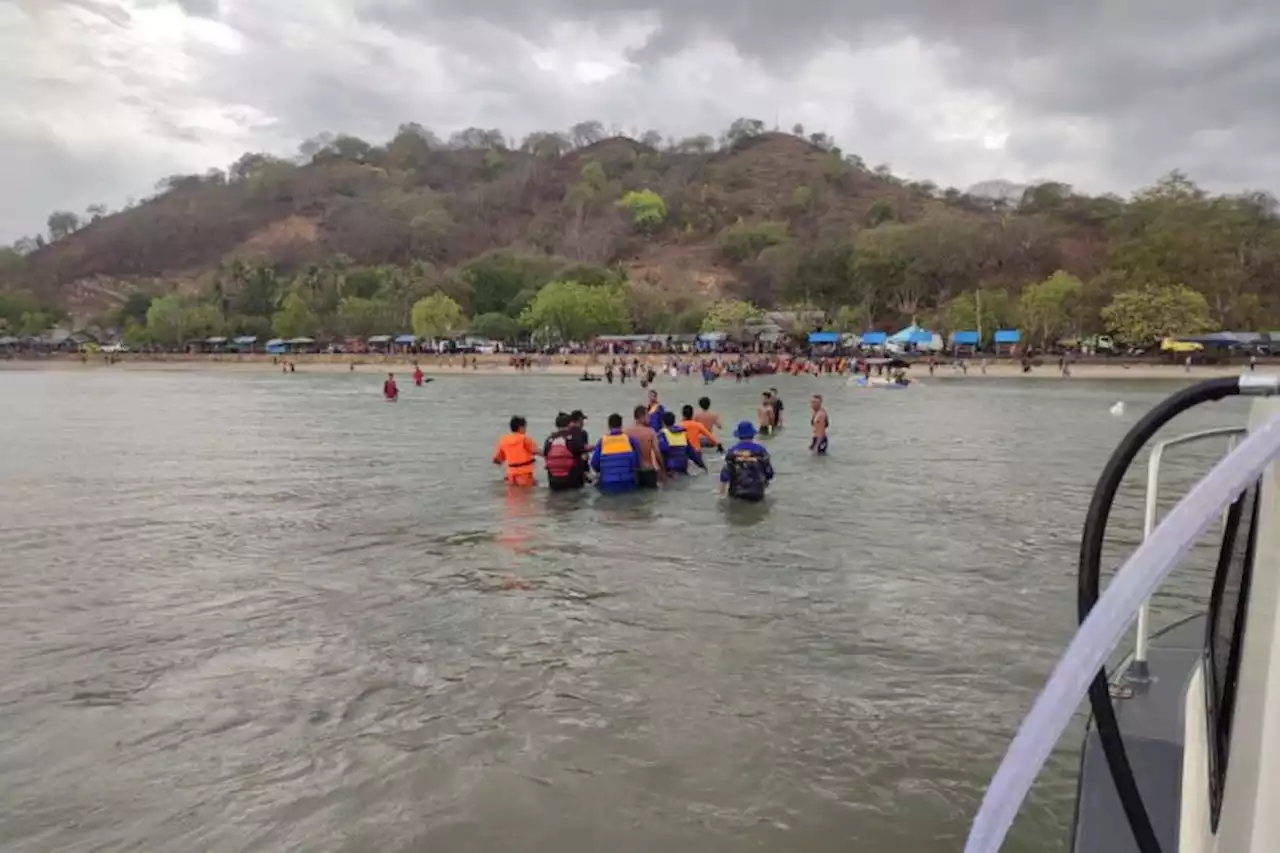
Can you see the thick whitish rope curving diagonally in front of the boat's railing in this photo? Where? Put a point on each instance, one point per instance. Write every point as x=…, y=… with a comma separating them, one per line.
x=1104, y=628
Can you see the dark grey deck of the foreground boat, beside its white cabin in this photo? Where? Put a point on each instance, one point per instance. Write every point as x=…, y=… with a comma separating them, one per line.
x=1151, y=720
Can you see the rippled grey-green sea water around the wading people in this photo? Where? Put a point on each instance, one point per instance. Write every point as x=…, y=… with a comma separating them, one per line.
x=266, y=613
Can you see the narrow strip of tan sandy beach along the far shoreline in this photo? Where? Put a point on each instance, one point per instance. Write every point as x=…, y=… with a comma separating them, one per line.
x=574, y=366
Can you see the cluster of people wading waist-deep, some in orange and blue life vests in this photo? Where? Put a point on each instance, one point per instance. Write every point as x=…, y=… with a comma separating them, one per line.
x=653, y=449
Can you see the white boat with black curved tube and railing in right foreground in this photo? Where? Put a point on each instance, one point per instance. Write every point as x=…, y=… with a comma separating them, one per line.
x=1182, y=754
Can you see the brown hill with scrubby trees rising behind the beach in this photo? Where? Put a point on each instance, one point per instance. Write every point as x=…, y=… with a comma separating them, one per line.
x=765, y=217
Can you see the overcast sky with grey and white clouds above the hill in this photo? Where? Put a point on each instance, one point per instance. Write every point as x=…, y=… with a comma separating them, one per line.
x=99, y=99
